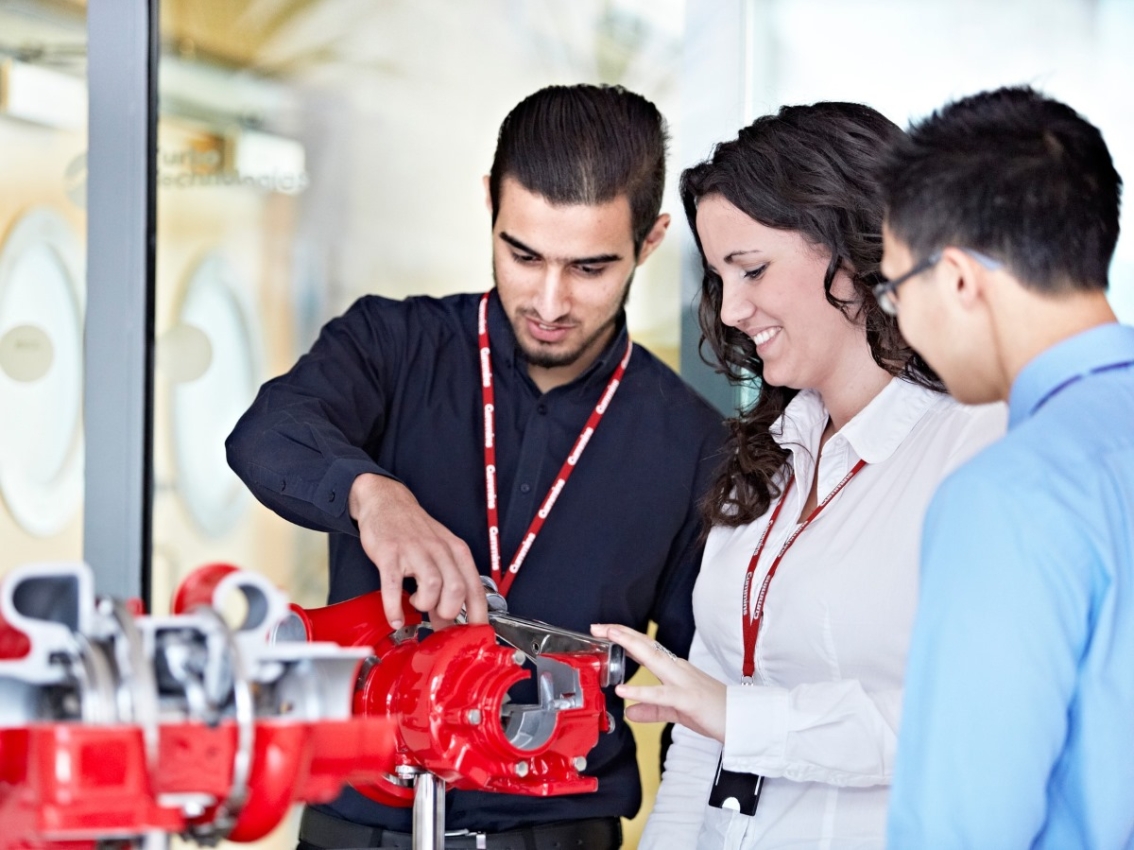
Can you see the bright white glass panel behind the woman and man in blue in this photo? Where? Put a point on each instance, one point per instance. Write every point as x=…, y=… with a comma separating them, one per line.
x=907, y=59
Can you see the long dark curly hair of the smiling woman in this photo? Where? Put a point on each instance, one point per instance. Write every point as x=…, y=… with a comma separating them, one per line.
x=811, y=171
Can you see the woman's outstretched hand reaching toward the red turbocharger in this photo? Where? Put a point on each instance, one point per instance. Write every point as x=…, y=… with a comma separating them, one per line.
x=686, y=696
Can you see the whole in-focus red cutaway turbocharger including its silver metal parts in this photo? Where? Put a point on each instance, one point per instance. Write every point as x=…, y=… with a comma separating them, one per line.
x=447, y=694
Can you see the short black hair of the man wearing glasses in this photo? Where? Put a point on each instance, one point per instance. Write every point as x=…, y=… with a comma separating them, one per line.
x=1014, y=175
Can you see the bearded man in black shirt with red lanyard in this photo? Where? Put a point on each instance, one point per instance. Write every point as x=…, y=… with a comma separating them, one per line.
x=517, y=433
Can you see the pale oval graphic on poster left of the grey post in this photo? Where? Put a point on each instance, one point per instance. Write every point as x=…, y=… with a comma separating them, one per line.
x=41, y=372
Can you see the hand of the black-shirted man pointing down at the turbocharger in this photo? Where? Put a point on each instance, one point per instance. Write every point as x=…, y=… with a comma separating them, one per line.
x=403, y=541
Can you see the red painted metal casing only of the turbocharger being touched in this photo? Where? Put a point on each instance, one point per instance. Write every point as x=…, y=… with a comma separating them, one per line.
x=446, y=693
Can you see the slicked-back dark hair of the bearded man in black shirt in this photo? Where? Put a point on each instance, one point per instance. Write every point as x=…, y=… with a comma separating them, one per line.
x=586, y=144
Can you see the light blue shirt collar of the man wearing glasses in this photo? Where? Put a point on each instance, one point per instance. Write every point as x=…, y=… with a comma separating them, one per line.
x=1067, y=362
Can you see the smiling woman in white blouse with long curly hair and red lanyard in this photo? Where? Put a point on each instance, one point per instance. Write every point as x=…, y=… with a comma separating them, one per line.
x=796, y=673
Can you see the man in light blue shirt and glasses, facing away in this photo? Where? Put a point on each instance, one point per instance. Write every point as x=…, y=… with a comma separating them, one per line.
x=1018, y=729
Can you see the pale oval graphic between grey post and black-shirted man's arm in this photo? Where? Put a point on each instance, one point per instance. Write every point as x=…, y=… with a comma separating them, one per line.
x=207, y=406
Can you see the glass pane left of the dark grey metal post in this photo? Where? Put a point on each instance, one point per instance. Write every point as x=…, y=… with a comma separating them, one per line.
x=44, y=112
